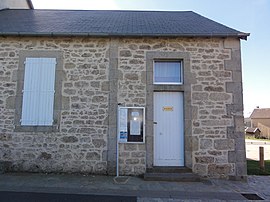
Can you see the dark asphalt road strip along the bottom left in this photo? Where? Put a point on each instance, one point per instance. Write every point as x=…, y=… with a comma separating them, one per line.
x=7, y=196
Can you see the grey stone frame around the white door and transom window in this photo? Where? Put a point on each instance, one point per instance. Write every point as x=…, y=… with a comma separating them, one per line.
x=152, y=56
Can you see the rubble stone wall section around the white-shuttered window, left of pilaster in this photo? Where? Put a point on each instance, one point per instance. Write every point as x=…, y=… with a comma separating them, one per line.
x=81, y=143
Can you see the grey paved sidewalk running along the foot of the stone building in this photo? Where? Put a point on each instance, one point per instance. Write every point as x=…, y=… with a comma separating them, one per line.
x=207, y=190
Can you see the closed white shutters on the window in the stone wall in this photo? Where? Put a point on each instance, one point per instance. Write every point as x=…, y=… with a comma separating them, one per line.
x=38, y=92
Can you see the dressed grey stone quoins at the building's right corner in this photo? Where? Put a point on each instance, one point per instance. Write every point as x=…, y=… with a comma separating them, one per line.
x=236, y=157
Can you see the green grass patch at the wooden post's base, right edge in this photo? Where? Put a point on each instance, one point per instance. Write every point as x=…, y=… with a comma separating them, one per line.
x=254, y=169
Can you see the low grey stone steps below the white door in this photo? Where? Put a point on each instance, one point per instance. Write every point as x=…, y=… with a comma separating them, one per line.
x=172, y=177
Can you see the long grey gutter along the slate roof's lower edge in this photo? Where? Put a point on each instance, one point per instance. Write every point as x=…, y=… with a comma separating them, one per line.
x=89, y=34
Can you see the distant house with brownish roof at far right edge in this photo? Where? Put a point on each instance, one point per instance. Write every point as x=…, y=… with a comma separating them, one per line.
x=260, y=118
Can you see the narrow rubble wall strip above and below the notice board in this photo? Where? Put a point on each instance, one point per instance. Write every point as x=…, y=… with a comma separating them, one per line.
x=132, y=93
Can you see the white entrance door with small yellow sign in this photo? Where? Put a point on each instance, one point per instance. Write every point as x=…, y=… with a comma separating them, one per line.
x=168, y=129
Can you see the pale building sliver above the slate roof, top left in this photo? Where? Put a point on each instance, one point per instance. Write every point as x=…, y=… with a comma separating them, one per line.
x=16, y=4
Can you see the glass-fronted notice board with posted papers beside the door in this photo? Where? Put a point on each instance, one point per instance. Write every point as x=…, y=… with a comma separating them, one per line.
x=130, y=124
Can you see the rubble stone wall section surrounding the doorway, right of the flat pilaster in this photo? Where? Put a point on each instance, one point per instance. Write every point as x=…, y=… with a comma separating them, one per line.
x=211, y=118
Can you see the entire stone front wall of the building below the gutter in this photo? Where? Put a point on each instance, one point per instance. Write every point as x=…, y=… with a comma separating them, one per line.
x=98, y=74
